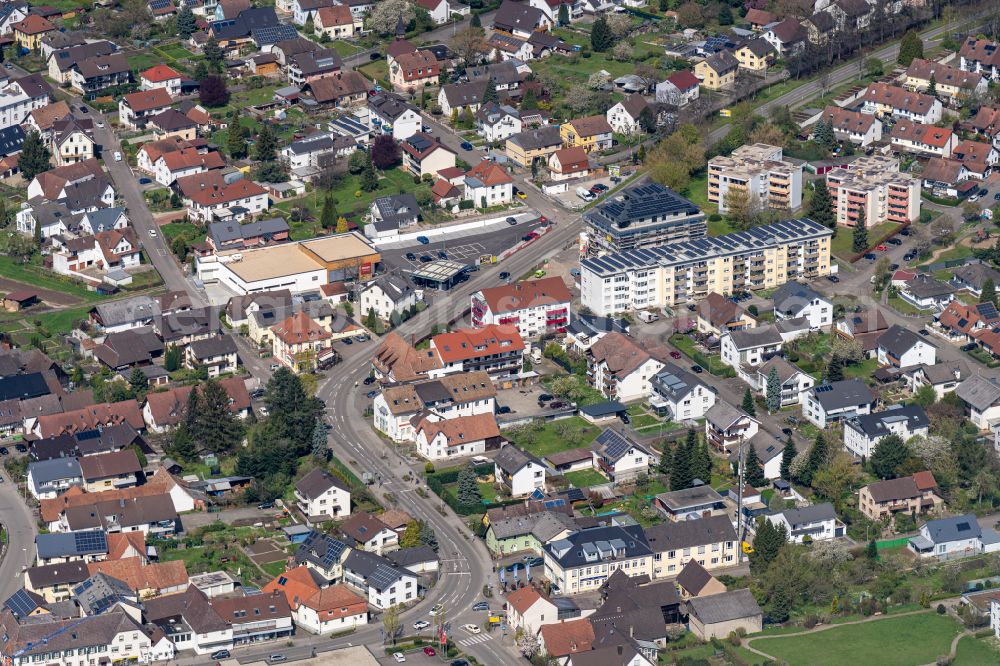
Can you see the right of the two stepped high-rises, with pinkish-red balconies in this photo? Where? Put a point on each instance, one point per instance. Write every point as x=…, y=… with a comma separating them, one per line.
x=874, y=184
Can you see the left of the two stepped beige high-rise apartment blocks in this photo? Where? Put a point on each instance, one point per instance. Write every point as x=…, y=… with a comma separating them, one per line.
x=761, y=172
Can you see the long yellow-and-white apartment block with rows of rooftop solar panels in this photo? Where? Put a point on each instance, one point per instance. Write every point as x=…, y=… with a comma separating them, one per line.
x=759, y=258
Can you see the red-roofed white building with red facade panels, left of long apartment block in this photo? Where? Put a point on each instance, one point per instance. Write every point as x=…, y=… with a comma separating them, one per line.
x=536, y=307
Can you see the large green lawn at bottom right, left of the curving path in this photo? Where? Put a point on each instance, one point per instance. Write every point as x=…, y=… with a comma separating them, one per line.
x=902, y=641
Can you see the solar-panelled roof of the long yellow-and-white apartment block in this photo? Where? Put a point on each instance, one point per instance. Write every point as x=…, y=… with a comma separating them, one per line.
x=757, y=238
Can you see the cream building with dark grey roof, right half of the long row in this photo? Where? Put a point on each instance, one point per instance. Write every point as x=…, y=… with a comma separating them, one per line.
x=710, y=541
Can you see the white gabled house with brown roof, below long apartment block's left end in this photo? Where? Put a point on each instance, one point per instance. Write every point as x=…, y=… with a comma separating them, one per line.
x=622, y=368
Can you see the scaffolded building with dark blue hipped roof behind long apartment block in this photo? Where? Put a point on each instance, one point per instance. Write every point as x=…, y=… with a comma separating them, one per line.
x=642, y=216
